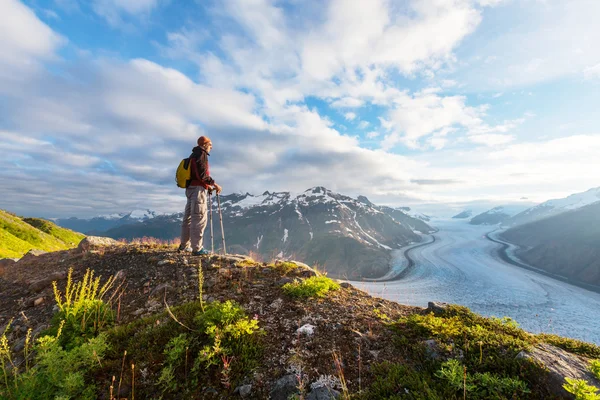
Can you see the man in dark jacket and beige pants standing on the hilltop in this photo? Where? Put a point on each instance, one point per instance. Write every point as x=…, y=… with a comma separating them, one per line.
x=195, y=217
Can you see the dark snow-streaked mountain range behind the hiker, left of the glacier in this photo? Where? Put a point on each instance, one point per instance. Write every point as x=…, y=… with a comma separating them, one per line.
x=349, y=237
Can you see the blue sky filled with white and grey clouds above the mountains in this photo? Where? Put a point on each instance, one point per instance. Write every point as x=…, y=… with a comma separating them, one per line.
x=412, y=102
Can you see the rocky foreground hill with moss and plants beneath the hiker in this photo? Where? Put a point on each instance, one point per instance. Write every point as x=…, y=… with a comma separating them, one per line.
x=227, y=327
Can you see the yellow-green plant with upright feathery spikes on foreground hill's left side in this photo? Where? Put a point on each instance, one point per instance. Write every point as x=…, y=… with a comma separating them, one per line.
x=82, y=309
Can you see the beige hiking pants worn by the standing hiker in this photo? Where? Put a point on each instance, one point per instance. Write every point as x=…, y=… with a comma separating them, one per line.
x=194, y=218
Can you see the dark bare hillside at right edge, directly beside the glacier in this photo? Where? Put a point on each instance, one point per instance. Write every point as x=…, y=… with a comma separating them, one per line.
x=567, y=244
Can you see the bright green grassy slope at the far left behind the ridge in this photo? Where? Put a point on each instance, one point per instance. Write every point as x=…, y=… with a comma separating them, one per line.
x=19, y=235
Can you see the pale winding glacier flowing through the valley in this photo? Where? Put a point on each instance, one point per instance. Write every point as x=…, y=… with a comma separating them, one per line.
x=463, y=267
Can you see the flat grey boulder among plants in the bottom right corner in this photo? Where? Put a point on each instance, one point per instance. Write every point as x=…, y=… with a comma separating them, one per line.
x=561, y=364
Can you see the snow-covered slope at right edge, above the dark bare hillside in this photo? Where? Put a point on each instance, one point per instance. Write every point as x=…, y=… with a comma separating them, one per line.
x=555, y=207
